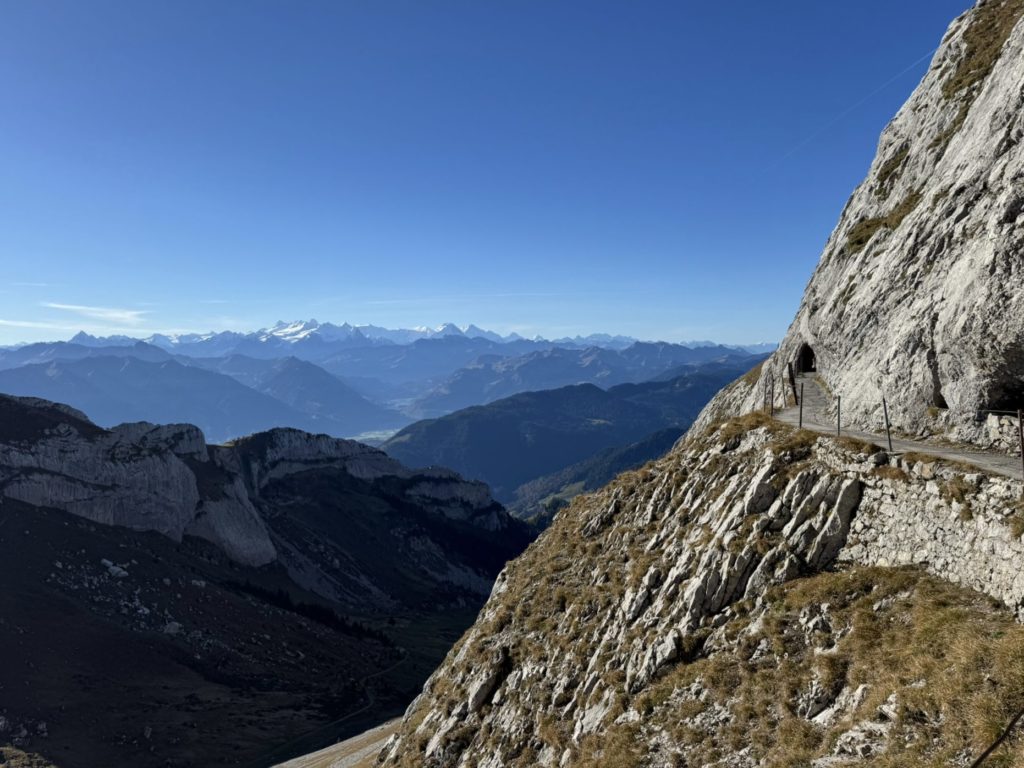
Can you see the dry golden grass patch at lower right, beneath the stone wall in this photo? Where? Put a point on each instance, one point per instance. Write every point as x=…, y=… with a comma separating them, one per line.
x=956, y=663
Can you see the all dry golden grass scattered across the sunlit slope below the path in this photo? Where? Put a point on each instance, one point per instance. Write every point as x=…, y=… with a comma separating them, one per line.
x=552, y=612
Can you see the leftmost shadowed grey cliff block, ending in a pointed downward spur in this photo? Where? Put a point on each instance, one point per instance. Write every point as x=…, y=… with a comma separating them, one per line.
x=141, y=477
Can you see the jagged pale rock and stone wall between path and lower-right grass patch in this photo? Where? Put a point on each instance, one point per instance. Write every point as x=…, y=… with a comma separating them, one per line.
x=633, y=584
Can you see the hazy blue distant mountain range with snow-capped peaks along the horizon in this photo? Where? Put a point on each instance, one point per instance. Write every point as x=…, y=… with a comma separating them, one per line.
x=346, y=381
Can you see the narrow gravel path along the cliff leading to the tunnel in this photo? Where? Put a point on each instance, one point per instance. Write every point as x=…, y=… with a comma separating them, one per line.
x=819, y=419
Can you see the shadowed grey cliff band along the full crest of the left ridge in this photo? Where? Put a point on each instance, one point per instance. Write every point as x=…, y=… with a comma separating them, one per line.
x=167, y=480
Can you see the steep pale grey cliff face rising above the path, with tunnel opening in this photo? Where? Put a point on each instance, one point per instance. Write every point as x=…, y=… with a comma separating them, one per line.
x=918, y=294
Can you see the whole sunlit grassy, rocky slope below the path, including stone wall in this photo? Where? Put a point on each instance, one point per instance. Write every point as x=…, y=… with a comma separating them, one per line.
x=608, y=642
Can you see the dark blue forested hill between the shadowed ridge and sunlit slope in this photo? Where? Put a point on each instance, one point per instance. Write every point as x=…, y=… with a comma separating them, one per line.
x=516, y=442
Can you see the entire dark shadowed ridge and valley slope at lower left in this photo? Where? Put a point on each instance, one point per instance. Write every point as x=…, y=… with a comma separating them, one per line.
x=232, y=605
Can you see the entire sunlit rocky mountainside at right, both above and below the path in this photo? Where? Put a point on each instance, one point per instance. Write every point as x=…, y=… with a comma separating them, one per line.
x=680, y=573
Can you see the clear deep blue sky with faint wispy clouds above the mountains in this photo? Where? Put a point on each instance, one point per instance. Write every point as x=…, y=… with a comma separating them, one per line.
x=661, y=169
